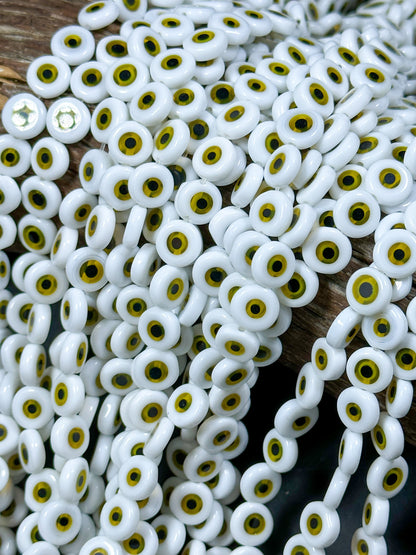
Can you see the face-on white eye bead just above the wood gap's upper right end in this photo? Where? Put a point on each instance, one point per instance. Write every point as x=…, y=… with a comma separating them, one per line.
x=357, y=214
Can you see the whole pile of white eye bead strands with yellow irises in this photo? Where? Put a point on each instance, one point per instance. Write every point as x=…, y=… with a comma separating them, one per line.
x=307, y=116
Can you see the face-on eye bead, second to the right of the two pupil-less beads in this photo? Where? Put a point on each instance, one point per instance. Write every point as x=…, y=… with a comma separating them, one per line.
x=130, y=144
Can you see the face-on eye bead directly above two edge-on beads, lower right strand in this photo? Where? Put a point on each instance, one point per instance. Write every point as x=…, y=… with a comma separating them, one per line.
x=358, y=409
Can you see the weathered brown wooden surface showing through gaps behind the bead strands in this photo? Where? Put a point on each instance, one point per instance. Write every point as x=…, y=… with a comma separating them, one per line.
x=26, y=28
